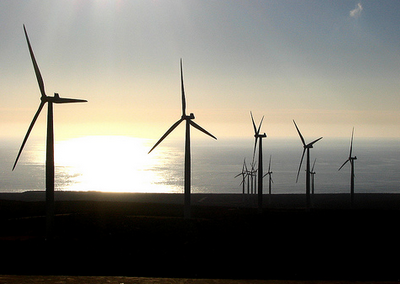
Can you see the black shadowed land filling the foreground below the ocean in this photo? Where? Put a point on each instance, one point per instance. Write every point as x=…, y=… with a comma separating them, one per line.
x=140, y=236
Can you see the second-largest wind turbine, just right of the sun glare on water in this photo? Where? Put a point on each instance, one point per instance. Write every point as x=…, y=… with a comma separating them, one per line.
x=189, y=122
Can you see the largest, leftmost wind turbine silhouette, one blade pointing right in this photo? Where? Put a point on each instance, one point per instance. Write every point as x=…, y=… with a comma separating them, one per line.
x=49, y=141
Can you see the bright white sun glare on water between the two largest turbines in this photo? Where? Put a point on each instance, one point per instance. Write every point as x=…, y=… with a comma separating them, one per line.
x=107, y=163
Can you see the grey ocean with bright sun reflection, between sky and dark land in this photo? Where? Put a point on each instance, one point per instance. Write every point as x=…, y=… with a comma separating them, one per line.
x=121, y=164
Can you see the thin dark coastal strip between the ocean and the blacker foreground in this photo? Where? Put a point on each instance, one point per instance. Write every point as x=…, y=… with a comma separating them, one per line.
x=378, y=201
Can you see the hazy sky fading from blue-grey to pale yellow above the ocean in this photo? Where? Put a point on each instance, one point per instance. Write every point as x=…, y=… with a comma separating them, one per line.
x=330, y=65
